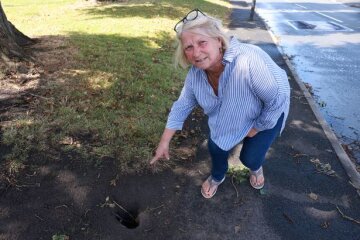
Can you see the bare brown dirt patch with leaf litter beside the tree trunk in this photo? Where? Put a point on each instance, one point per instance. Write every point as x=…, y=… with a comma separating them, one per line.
x=21, y=82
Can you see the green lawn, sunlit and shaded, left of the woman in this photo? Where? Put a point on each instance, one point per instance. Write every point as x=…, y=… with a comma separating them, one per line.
x=113, y=99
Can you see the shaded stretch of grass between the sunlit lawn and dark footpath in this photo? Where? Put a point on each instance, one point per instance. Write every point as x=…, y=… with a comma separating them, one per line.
x=73, y=100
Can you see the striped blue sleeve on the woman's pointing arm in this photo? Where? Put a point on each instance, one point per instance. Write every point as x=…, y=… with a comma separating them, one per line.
x=182, y=107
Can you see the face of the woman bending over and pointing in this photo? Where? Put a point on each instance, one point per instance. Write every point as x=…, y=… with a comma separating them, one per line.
x=201, y=51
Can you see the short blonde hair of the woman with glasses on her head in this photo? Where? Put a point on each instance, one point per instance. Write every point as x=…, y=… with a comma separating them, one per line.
x=212, y=27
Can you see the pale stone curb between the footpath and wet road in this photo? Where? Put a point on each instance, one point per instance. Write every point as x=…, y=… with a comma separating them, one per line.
x=348, y=165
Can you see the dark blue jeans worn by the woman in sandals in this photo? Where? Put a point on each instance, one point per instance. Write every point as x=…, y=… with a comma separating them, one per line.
x=252, y=154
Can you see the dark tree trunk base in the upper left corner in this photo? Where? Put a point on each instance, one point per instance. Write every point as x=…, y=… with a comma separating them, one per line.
x=12, y=40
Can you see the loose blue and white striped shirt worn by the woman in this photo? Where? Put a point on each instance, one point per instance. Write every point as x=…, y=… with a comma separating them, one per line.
x=253, y=93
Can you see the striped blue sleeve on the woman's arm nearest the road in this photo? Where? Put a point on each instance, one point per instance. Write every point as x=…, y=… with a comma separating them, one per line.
x=270, y=84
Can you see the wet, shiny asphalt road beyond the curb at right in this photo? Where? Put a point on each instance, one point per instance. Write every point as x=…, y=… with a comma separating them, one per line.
x=322, y=39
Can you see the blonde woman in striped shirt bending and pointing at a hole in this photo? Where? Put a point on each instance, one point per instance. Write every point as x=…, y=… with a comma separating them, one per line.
x=245, y=95
